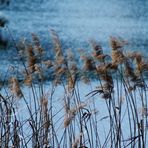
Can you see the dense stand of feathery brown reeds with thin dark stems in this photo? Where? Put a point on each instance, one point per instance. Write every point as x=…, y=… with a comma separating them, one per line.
x=75, y=122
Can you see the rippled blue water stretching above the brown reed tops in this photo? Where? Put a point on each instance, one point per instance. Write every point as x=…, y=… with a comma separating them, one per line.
x=78, y=21
